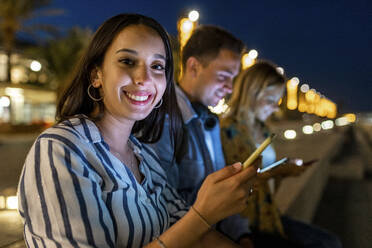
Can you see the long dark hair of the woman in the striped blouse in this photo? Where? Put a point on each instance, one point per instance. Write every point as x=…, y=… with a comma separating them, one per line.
x=75, y=100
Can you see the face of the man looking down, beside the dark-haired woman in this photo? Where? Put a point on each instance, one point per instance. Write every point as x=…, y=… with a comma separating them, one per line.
x=215, y=79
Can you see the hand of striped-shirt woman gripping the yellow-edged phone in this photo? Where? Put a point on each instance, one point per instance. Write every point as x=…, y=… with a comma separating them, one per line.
x=225, y=192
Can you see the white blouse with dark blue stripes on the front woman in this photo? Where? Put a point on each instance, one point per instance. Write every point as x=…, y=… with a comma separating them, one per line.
x=74, y=193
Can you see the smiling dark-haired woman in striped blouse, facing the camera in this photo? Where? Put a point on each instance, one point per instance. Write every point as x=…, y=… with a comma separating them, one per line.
x=89, y=181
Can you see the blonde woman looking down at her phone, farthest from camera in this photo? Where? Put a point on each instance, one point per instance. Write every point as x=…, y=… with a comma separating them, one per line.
x=255, y=97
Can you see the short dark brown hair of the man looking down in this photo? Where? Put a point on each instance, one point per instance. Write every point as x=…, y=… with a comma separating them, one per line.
x=207, y=41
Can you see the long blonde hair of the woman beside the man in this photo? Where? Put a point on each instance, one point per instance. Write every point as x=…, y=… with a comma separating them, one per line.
x=247, y=87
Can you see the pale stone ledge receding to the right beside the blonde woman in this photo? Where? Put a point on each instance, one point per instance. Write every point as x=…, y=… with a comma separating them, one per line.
x=298, y=197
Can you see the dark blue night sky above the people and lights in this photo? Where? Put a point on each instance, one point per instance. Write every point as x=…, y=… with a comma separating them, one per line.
x=327, y=44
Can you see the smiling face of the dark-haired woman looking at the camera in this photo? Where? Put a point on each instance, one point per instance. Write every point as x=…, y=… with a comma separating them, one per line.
x=132, y=75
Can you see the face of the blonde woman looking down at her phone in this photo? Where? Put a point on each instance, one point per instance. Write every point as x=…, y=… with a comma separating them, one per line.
x=267, y=101
